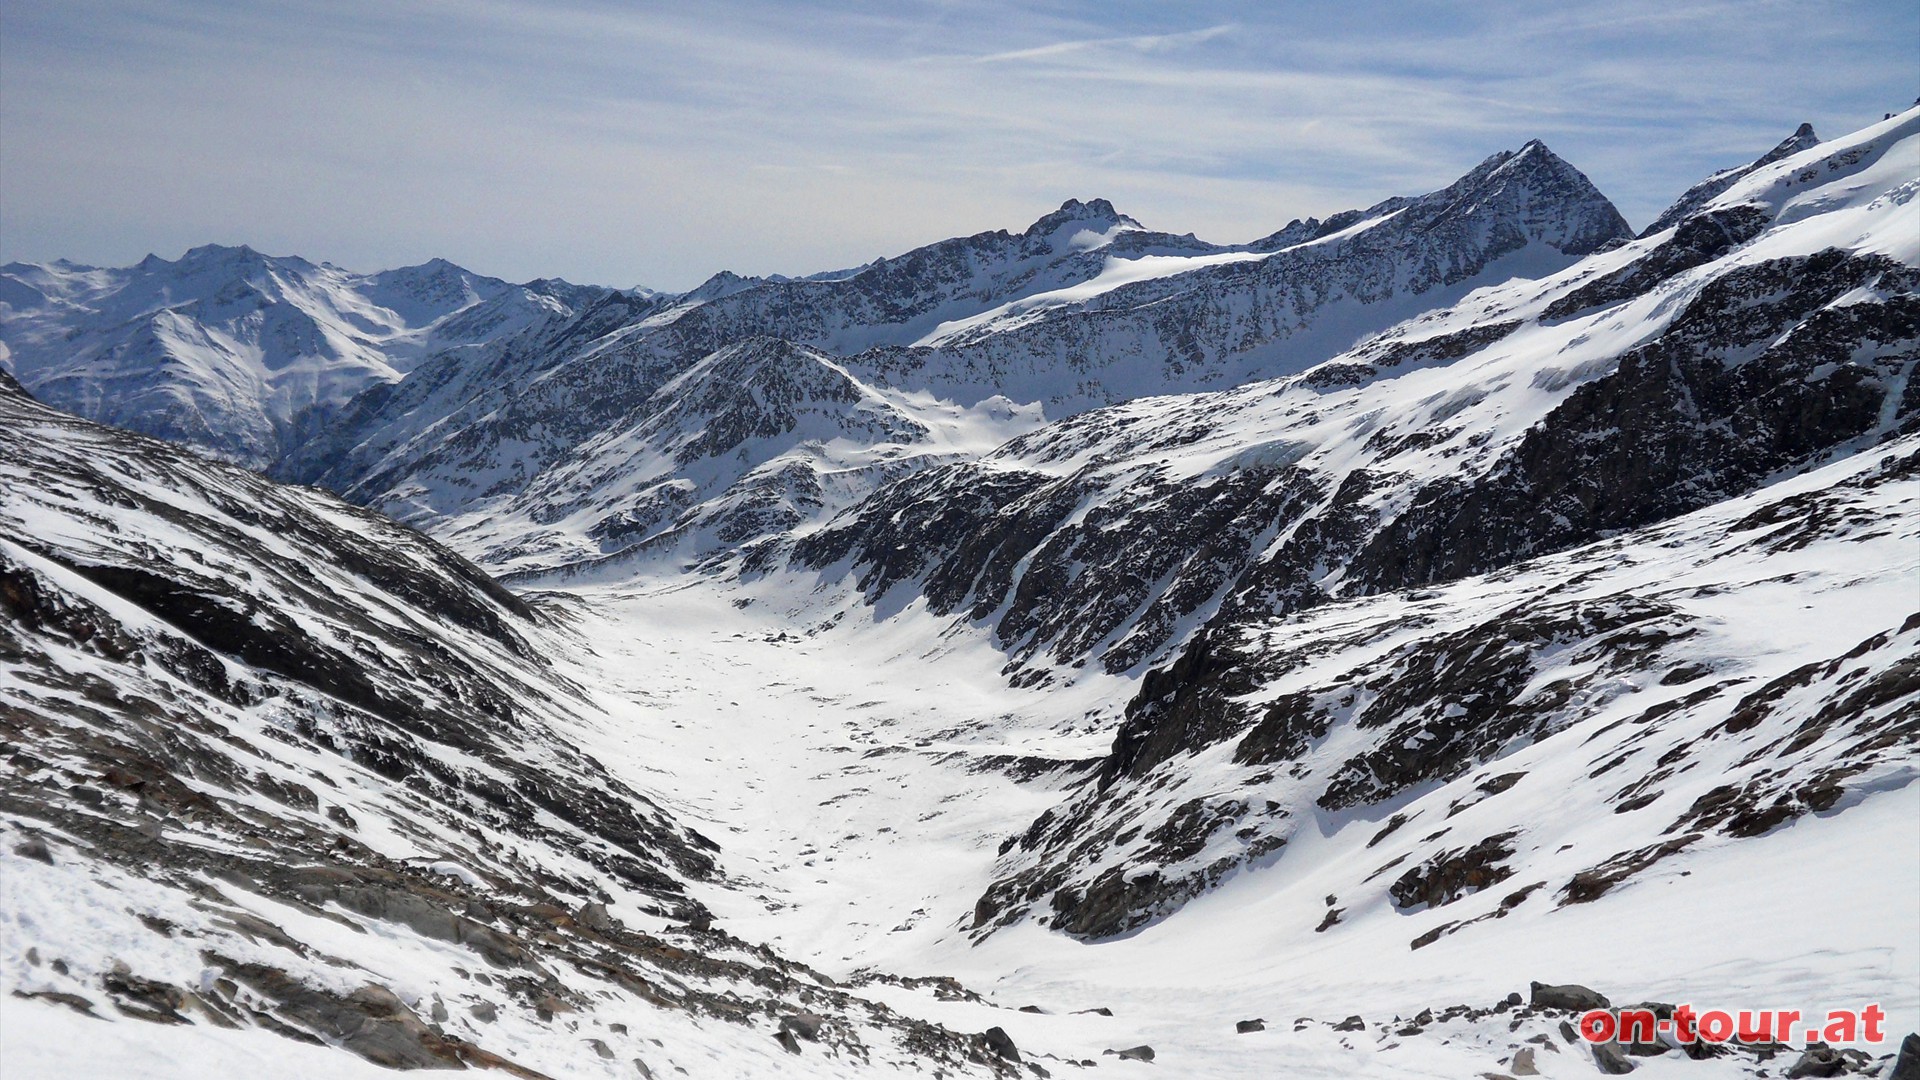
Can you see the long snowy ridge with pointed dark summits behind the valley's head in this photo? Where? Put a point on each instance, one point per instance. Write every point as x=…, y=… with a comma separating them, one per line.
x=569, y=454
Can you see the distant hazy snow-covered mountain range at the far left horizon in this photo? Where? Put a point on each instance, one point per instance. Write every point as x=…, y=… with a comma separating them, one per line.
x=231, y=351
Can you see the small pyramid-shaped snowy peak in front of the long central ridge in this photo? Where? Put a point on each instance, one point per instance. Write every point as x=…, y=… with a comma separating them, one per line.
x=727, y=460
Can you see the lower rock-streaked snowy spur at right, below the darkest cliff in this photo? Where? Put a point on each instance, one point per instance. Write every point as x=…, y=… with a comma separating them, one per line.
x=1428, y=733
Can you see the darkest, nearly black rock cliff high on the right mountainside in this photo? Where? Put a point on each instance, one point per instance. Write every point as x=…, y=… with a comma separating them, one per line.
x=1758, y=376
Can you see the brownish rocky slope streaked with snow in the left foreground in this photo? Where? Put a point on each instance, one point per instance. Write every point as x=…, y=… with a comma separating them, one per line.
x=279, y=766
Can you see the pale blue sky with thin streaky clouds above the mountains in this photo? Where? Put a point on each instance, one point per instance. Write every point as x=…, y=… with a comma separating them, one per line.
x=635, y=143
